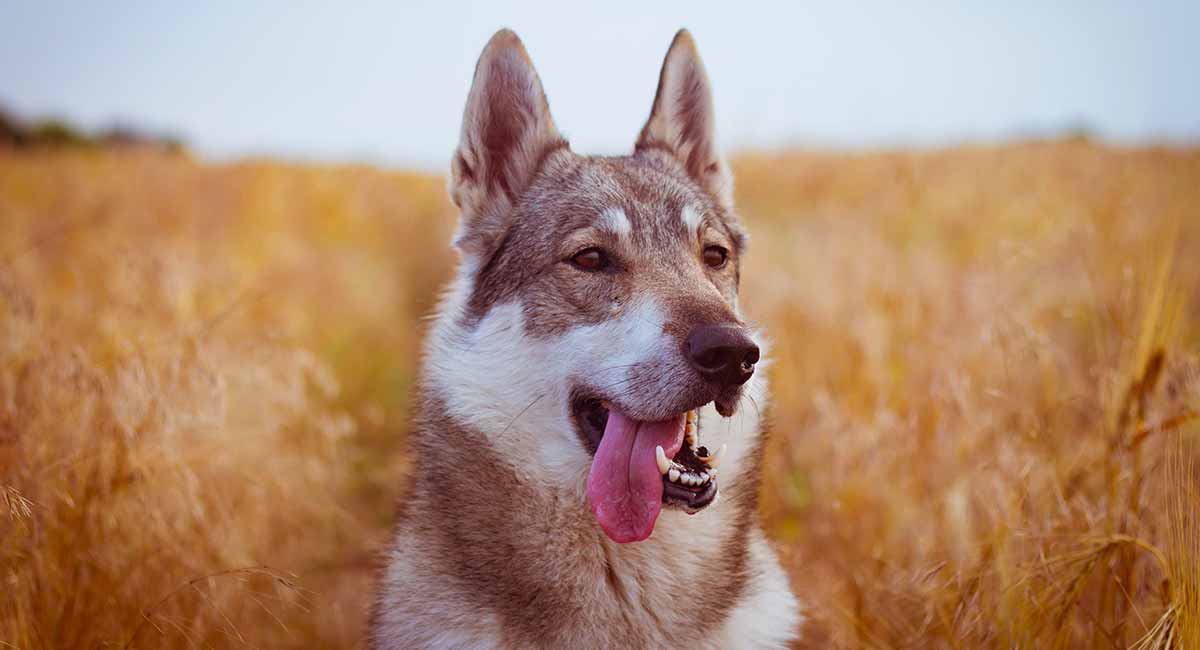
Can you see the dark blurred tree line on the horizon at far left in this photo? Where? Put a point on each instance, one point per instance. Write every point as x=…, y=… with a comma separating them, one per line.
x=58, y=134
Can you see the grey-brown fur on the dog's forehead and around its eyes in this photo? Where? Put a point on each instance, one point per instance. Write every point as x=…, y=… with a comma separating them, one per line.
x=551, y=222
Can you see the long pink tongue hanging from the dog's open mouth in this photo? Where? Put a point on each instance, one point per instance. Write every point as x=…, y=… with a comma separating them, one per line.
x=625, y=486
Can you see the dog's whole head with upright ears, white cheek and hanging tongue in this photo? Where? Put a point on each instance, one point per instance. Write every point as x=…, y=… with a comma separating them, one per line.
x=596, y=320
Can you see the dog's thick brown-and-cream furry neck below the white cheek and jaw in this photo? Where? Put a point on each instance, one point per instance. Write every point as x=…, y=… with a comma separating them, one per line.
x=525, y=547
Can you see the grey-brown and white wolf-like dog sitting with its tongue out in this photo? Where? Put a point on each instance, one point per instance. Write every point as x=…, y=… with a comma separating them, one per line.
x=586, y=443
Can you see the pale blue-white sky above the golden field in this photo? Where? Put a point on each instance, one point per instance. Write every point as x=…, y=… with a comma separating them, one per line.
x=386, y=82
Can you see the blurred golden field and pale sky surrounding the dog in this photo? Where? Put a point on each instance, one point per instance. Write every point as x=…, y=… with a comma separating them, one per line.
x=975, y=227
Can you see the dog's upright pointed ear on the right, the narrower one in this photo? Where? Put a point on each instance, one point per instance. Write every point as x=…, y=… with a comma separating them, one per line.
x=682, y=119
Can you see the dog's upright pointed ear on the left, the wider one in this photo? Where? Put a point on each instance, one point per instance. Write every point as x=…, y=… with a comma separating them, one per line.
x=507, y=133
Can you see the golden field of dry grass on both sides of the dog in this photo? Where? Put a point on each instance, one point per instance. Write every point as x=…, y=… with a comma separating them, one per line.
x=987, y=393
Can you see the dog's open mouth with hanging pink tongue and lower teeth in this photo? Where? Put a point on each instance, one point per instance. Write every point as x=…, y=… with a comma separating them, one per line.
x=640, y=466
